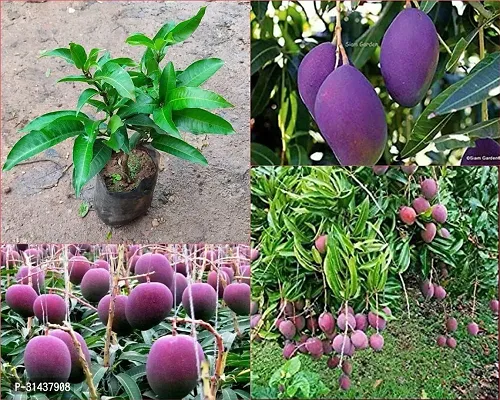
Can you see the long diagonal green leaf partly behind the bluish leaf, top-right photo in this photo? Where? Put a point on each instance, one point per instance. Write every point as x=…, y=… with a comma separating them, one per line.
x=426, y=128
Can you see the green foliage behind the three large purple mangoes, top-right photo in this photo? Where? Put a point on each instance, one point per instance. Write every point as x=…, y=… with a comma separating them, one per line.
x=284, y=133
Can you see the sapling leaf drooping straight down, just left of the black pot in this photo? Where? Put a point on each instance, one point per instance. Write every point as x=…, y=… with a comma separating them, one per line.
x=83, y=149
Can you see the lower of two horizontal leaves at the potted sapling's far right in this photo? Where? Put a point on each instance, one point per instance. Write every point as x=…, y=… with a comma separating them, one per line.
x=196, y=120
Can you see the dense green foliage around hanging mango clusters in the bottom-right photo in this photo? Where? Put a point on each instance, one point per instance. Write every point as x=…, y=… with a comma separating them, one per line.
x=370, y=252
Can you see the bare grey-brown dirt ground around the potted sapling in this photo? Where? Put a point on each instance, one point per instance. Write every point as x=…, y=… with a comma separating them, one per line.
x=191, y=203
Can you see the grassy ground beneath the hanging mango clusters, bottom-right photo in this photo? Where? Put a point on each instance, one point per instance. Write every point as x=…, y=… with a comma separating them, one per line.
x=411, y=365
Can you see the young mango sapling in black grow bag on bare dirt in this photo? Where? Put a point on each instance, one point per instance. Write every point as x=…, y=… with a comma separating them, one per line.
x=138, y=110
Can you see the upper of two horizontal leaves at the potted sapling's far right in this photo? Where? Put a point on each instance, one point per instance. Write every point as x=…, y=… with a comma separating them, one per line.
x=191, y=97
